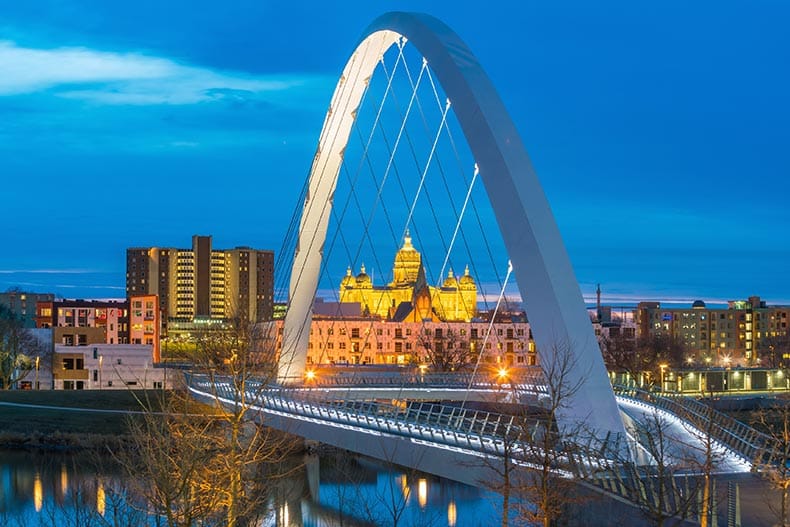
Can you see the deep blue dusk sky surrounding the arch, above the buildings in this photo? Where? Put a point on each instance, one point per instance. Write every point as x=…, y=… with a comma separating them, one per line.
x=658, y=129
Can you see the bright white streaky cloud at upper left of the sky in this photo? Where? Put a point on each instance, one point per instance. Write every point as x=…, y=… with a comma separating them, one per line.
x=113, y=78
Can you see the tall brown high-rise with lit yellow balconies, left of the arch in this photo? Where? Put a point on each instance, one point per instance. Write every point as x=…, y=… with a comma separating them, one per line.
x=202, y=283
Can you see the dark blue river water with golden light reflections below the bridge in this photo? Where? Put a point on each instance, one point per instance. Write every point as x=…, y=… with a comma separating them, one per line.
x=335, y=489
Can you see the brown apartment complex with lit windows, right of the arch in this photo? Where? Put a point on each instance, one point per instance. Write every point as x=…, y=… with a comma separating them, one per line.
x=740, y=334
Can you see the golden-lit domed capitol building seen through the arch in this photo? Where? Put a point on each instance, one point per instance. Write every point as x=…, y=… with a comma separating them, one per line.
x=408, y=296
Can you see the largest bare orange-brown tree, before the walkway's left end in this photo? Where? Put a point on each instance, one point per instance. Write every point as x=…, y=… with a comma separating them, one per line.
x=208, y=464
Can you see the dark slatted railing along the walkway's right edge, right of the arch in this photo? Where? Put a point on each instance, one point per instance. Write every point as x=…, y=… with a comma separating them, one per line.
x=751, y=444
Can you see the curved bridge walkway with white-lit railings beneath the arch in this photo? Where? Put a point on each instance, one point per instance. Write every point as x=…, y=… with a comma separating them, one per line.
x=463, y=444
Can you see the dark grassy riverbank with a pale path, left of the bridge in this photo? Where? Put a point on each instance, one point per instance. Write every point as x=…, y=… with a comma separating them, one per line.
x=76, y=420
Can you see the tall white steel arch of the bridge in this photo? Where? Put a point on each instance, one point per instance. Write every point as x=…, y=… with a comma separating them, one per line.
x=546, y=280
